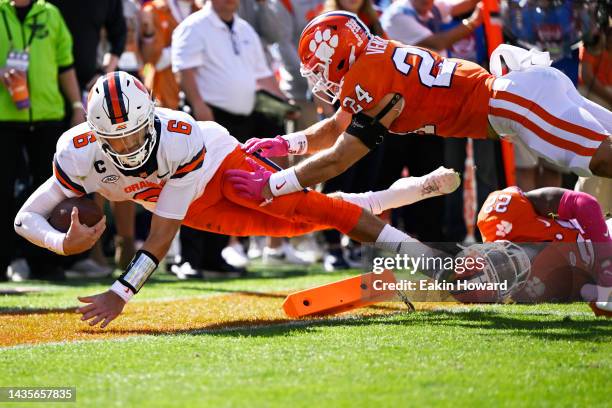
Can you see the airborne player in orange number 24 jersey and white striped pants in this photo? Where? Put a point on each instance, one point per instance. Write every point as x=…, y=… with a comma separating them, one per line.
x=387, y=86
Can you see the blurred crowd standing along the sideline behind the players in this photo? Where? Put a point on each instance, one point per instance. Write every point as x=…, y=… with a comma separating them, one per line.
x=201, y=57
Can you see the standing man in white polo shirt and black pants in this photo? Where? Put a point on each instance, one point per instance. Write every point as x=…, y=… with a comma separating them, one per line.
x=220, y=64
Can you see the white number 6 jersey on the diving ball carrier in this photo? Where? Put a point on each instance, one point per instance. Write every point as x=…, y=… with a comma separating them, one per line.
x=187, y=155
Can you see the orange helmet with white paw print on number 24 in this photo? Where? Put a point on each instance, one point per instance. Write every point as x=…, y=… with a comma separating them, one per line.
x=329, y=46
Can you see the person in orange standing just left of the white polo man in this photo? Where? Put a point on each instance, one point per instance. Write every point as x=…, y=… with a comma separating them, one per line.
x=159, y=18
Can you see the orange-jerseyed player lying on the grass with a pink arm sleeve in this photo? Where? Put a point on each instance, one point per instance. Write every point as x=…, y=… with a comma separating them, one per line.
x=576, y=262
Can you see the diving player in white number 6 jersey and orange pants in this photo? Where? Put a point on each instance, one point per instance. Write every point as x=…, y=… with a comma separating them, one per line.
x=175, y=167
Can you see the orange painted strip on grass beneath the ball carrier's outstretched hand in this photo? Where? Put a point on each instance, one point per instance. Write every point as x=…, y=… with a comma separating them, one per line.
x=156, y=318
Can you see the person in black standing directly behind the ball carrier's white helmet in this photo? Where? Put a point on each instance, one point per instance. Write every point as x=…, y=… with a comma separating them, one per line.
x=87, y=22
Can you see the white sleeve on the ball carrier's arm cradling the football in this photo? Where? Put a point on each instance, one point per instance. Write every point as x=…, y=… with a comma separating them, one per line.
x=31, y=220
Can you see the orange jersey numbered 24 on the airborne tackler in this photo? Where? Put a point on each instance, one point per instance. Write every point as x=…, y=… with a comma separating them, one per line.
x=443, y=96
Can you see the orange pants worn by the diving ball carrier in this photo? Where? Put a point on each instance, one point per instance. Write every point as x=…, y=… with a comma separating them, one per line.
x=222, y=211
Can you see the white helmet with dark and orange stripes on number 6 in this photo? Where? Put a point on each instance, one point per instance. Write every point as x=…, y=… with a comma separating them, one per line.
x=121, y=114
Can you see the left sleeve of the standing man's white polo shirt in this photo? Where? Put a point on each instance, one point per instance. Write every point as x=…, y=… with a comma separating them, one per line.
x=188, y=51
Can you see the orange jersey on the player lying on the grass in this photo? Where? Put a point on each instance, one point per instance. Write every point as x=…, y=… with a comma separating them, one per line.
x=509, y=215
